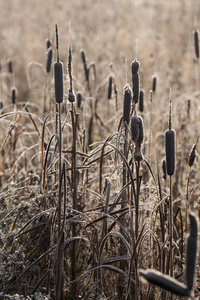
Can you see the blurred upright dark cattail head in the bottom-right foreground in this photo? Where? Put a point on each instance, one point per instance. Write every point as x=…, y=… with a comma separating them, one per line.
x=191, y=252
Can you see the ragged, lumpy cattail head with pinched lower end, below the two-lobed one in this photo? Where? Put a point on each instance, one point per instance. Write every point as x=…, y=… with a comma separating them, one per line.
x=137, y=135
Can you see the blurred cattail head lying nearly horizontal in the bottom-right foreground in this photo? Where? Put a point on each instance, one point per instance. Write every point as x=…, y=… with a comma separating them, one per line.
x=165, y=282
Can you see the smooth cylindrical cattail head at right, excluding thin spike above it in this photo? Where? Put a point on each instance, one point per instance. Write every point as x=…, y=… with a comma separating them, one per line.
x=170, y=151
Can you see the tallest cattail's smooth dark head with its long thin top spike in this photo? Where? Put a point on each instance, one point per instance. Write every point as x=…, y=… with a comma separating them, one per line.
x=58, y=75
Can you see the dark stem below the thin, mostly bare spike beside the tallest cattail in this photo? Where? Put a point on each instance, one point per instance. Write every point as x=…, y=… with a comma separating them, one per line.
x=74, y=182
